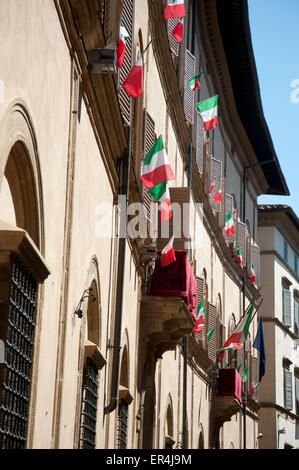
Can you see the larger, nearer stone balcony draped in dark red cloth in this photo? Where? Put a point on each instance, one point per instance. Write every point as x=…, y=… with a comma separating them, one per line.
x=166, y=312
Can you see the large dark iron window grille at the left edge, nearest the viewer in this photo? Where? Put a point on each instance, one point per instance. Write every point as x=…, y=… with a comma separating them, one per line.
x=18, y=336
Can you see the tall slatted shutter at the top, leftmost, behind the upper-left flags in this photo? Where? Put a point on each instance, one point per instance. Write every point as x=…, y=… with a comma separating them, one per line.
x=126, y=21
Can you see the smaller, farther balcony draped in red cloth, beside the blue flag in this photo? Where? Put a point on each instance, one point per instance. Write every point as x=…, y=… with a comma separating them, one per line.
x=228, y=397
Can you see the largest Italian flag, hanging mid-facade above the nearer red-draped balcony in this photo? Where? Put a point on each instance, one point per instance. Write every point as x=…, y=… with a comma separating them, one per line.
x=155, y=167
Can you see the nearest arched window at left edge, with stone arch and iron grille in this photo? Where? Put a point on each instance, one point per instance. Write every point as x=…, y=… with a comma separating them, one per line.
x=22, y=269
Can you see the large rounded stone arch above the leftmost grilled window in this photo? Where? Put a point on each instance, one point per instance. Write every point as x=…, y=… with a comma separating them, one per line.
x=20, y=171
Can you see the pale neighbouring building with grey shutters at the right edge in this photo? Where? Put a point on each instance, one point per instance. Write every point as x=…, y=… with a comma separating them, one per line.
x=279, y=244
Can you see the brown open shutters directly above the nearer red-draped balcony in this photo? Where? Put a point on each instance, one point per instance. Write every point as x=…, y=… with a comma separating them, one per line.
x=179, y=224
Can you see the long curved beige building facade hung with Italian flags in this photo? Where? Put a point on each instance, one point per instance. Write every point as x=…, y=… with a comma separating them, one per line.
x=97, y=343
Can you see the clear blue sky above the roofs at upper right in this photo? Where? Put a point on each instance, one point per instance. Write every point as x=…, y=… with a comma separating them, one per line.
x=275, y=37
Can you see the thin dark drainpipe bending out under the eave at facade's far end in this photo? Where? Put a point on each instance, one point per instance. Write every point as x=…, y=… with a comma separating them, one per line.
x=244, y=397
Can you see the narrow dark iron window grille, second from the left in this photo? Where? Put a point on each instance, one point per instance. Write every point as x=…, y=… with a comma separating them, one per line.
x=89, y=406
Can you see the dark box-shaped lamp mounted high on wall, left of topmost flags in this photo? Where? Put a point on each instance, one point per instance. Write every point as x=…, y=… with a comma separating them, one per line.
x=102, y=60
